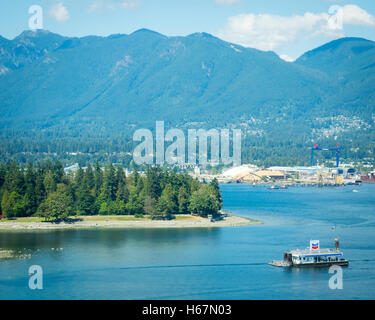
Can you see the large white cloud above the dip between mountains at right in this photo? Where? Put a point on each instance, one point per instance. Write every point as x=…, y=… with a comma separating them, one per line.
x=268, y=32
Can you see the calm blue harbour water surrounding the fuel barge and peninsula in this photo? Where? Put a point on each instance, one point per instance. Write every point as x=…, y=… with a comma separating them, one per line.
x=226, y=263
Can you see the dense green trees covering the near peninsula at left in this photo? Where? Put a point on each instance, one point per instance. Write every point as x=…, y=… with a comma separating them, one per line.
x=44, y=189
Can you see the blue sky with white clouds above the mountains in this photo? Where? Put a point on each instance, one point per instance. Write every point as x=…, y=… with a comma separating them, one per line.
x=287, y=27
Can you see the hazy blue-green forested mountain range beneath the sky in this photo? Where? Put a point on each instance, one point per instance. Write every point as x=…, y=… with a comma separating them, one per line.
x=66, y=86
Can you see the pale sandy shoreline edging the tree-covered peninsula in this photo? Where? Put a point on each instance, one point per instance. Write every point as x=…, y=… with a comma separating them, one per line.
x=89, y=222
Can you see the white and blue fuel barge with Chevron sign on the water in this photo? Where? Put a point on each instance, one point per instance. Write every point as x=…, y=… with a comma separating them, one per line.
x=313, y=257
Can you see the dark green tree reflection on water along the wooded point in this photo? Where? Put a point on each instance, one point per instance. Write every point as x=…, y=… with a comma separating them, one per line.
x=57, y=240
